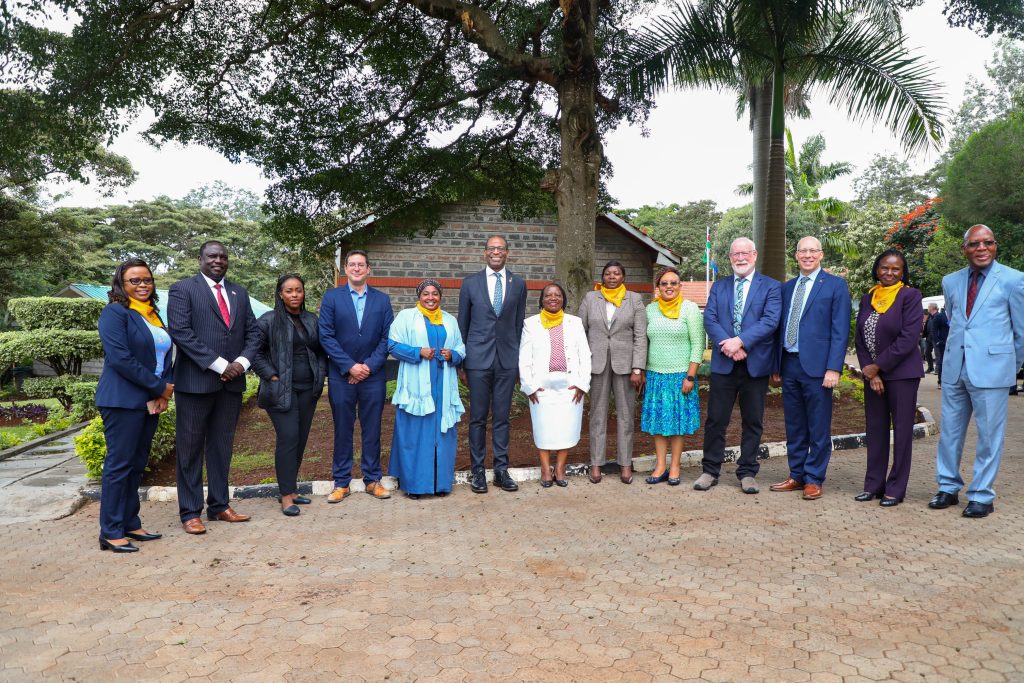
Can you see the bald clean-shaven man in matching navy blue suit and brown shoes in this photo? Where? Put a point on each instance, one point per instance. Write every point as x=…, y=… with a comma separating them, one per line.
x=813, y=341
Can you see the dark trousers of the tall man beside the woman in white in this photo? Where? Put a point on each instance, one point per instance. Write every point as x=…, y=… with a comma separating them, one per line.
x=490, y=392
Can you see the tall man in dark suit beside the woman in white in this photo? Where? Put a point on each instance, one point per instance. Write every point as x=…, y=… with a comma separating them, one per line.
x=492, y=310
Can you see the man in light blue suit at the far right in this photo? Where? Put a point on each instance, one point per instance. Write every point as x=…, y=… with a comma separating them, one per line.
x=985, y=349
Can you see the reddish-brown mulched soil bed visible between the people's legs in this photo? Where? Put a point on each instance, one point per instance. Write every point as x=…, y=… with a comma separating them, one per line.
x=255, y=435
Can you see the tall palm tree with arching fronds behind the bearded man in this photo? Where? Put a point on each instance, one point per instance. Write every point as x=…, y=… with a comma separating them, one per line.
x=845, y=49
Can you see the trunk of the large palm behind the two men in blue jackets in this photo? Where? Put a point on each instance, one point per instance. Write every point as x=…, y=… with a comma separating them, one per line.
x=774, y=257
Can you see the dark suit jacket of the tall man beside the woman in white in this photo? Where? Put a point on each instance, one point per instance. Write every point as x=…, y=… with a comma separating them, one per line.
x=490, y=338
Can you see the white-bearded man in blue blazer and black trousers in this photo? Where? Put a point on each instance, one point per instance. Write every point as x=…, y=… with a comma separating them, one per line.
x=742, y=319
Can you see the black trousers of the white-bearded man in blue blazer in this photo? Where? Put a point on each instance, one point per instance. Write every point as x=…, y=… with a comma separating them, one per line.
x=724, y=391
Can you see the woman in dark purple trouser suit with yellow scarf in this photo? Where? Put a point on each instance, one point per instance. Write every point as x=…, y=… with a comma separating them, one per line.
x=888, y=328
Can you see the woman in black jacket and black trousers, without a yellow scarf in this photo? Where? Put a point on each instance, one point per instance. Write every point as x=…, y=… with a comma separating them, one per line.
x=292, y=368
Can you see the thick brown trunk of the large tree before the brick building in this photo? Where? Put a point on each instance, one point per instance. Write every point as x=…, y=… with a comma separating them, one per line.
x=582, y=153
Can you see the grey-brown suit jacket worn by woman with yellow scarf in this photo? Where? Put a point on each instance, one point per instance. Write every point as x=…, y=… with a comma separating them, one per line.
x=625, y=343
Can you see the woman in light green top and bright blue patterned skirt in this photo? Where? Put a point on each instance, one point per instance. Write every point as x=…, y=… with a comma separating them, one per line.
x=675, y=331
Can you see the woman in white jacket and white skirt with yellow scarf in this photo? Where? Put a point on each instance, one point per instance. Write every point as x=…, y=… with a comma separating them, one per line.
x=554, y=373
